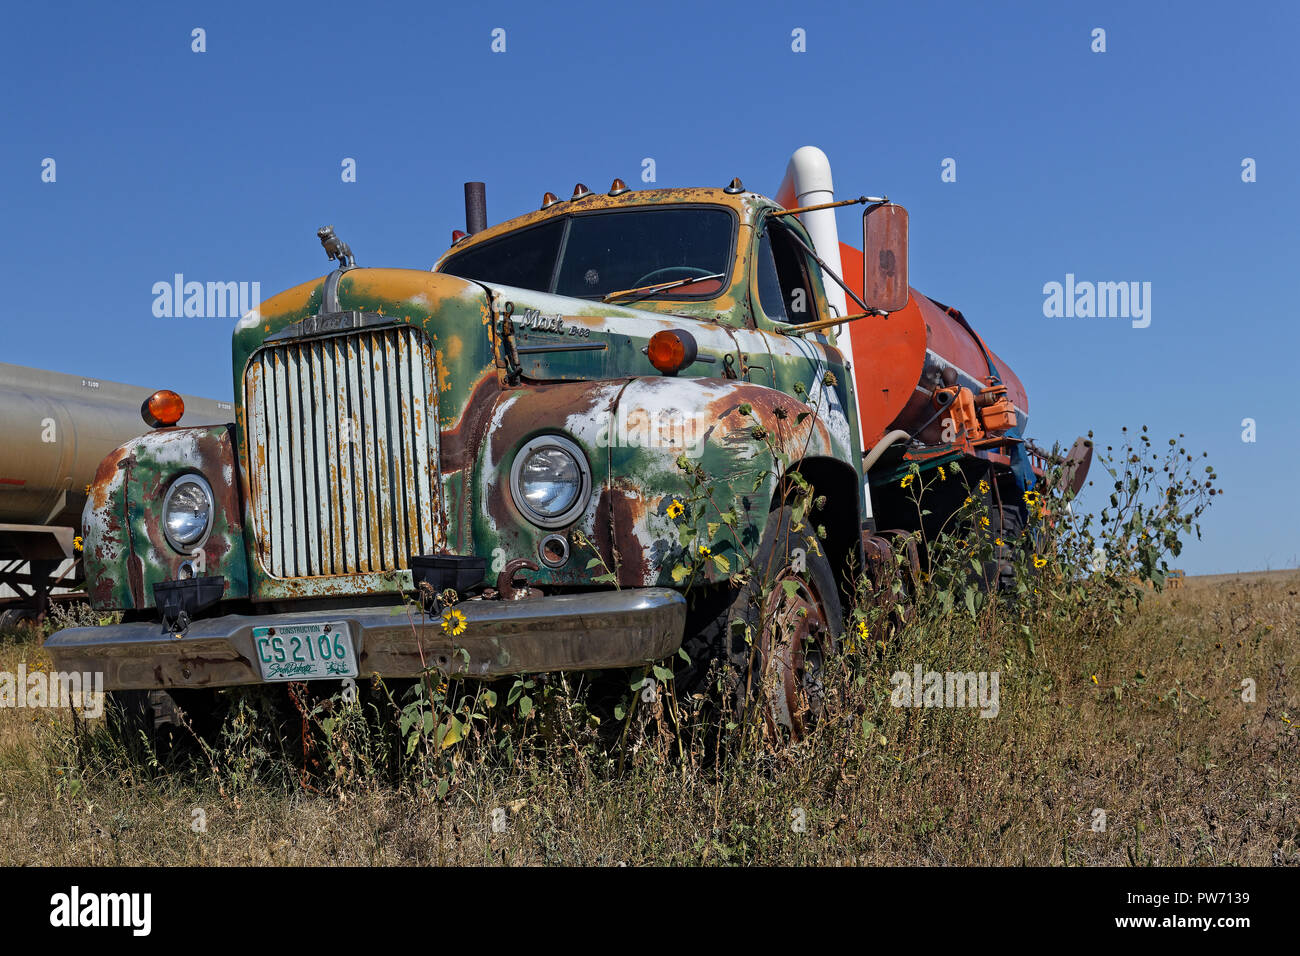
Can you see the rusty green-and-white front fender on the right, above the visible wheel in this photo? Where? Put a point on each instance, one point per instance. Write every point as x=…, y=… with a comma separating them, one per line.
x=636, y=434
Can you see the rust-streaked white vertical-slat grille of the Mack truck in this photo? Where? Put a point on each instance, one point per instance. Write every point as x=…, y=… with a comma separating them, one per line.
x=344, y=444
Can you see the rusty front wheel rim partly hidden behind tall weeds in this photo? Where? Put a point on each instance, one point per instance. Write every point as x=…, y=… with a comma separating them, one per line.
x=791, y=648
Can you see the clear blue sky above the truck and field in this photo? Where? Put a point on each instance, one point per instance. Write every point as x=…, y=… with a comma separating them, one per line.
x=1124, y=166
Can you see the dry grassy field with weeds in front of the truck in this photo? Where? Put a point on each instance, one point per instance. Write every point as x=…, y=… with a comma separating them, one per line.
x=1132, y=749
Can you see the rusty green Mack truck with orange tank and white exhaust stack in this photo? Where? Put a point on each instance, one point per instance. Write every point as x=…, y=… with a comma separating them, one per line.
x=518, y=431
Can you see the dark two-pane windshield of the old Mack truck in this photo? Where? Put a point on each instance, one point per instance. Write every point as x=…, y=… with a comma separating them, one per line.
x=596, y=254
